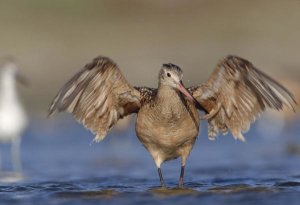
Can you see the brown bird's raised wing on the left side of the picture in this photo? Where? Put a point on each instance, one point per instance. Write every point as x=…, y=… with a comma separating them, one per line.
x=97, y=96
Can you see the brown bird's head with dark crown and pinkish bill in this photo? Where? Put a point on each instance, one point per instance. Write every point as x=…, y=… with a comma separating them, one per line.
x=171, y=75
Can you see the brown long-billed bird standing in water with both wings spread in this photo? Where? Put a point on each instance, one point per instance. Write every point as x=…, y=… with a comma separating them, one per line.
x=167, y=121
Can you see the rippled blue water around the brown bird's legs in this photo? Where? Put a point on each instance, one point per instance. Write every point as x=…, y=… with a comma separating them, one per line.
x=62, y=166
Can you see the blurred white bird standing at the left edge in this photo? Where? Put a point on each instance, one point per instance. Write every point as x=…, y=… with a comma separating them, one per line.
x=13, y=119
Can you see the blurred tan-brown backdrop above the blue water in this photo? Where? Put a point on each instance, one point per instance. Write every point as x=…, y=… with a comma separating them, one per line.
x=51, y=40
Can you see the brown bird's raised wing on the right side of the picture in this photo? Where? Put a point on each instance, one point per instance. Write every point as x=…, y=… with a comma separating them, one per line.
x=236, y=94
